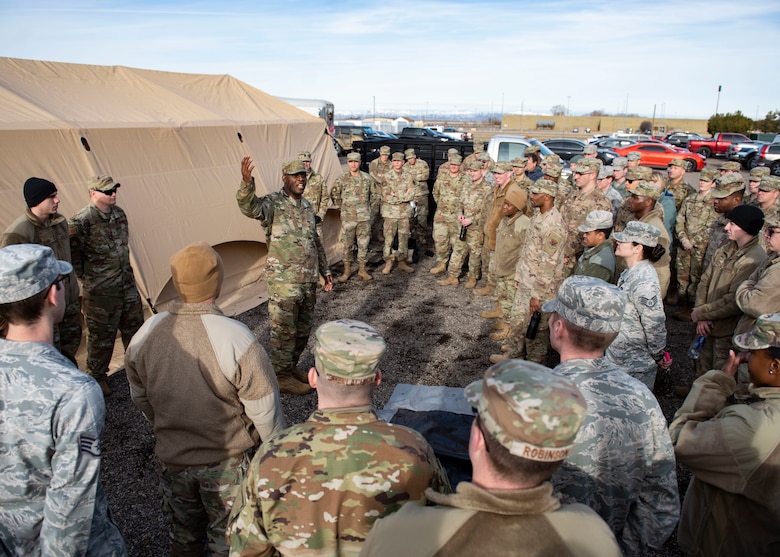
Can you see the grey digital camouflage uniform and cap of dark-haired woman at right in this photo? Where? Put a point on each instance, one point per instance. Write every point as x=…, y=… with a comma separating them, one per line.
x=642, y=337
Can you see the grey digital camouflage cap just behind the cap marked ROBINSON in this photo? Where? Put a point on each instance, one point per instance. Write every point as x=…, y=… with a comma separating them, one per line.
x=590, y=303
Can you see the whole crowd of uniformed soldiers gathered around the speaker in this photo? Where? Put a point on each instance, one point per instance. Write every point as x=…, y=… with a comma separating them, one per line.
x=574, y=460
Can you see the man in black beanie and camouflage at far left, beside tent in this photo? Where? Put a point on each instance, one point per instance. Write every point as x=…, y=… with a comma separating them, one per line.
x=42, y=224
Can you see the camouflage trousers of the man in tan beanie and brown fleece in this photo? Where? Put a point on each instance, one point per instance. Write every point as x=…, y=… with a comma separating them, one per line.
x=198, y=501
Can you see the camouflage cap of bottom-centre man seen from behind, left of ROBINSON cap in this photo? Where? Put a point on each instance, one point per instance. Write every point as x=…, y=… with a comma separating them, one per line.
x=348, y=351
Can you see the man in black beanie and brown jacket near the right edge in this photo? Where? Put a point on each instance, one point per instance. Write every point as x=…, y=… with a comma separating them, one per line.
x=716, y=312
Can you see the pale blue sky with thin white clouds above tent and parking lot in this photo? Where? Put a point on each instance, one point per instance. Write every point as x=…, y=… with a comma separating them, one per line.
x=434, y=55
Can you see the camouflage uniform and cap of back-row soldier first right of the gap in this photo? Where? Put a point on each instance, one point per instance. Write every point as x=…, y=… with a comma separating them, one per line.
x=446, y=193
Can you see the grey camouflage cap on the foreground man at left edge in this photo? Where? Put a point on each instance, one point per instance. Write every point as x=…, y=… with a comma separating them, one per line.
x=26, y=270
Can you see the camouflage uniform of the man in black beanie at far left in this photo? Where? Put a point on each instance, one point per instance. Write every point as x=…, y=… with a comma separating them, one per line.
x=28, y=229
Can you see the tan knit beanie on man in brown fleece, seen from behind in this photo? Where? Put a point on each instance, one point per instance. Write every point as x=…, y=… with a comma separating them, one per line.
x=197, y=272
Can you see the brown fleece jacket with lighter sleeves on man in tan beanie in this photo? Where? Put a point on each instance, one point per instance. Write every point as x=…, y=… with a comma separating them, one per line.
x=205, y=384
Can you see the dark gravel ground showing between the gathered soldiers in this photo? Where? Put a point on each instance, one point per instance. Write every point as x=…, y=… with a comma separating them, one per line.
x=435, y=337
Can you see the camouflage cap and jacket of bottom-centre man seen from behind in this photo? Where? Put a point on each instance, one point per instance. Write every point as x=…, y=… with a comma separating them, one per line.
x=317, y=487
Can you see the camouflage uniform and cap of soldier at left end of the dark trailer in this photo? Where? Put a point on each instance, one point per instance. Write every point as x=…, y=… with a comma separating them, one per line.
x=355, y=195
